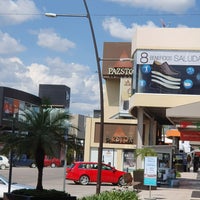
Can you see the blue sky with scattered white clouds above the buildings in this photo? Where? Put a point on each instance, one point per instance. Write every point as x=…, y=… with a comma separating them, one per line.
x=35, y=49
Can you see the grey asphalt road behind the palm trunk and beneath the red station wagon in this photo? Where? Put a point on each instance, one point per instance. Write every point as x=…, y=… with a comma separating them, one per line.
x=53, y=178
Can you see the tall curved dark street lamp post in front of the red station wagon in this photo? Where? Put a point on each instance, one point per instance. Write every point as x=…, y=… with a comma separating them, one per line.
x=100, y=148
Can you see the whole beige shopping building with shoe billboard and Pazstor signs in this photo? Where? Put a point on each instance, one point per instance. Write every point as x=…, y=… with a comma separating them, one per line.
x=158, y=87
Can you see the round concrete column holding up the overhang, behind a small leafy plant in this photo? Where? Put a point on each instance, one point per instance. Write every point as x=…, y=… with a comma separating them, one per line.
x=139, y=135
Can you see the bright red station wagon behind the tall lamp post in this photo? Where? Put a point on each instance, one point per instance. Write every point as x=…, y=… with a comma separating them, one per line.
x=85, y=172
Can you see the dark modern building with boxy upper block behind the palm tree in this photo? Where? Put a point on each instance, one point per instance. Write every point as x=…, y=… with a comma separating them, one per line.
x=14, y=102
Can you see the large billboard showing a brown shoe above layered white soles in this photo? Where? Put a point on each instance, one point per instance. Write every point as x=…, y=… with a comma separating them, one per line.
x=167, y=72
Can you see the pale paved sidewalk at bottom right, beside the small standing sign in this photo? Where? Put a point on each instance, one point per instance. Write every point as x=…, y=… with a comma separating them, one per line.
x=189, y=189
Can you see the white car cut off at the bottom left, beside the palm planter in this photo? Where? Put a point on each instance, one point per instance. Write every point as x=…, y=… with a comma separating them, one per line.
x=14, y=186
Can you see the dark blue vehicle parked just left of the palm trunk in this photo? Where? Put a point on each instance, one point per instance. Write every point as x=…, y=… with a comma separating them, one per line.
x=23, y=161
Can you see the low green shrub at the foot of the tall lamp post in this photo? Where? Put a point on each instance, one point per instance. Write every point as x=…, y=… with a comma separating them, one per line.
x=113, y=195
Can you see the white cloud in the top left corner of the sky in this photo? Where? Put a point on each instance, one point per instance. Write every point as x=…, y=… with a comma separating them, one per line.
x=18, y=11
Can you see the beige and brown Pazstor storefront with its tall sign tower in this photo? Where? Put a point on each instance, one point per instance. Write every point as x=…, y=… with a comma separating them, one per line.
x=120, y=127
